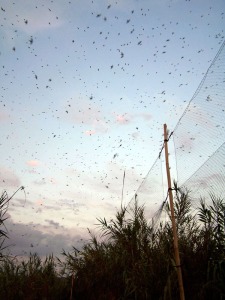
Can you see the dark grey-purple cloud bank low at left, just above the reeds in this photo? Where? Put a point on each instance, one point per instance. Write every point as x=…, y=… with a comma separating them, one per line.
x=33, y=238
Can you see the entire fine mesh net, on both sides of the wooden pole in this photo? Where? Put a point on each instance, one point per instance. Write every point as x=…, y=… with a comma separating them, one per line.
x=199, y=145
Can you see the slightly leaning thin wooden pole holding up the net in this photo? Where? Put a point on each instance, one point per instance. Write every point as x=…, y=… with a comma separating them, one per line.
x=175, y=239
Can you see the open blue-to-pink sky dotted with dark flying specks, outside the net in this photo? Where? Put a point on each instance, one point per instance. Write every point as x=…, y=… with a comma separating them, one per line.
x=86, y=87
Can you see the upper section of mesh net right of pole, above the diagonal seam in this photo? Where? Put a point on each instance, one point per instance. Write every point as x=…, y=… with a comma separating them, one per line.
x=200, y=131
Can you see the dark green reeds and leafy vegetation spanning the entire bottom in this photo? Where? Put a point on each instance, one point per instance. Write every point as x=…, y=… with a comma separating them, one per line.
x=130, y=259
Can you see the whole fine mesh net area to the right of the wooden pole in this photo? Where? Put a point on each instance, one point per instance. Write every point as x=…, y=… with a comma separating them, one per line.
x=199, y=135
